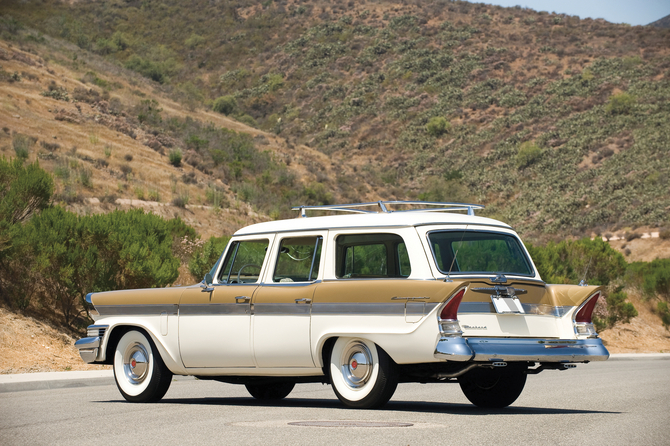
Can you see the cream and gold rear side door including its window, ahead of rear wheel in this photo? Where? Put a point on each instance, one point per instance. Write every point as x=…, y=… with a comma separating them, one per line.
x=282, y=306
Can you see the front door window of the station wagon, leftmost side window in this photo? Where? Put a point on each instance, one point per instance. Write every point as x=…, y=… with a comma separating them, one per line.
x=244, y=261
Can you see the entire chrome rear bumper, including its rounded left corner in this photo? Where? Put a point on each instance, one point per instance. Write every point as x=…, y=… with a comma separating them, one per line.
x=519, y=349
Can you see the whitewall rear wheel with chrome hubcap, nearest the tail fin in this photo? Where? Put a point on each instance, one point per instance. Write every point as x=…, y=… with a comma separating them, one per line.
x=363, y=376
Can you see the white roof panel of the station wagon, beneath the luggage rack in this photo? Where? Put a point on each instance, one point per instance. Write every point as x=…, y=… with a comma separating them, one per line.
x=370, y=220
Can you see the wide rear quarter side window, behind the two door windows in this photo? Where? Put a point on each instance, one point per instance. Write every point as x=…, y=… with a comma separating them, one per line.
x=371, y=256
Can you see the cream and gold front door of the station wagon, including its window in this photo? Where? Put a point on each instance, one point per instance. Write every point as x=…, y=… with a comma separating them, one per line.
x=215, y=322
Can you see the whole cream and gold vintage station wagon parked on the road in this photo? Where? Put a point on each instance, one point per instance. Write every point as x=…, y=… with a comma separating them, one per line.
x=362, y=301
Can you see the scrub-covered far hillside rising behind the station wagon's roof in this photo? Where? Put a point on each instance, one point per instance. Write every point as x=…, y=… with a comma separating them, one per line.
x=558, y=125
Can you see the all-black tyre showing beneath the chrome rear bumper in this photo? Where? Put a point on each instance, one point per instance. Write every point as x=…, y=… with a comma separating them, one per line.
x=493, y=388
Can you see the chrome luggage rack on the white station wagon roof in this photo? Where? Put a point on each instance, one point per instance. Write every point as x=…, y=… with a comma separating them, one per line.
x=356, y=207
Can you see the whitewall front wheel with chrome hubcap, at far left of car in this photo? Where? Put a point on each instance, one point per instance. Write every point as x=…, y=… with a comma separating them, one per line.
x=139, y=371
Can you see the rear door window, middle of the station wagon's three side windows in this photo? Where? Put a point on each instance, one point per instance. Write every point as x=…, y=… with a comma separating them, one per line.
x=298, y=259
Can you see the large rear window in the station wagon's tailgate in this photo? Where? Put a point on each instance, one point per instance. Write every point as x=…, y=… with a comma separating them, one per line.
x=478, y=252
